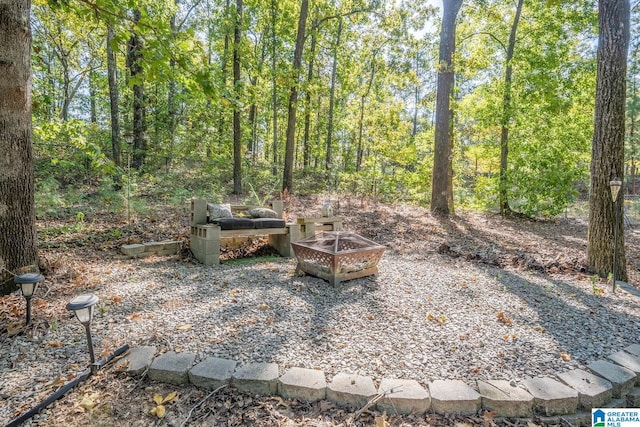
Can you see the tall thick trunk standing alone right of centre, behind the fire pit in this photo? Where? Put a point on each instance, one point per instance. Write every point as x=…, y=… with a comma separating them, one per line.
x=442, y=183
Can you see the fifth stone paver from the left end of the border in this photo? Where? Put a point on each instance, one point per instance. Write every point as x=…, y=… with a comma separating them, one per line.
x=303, y=384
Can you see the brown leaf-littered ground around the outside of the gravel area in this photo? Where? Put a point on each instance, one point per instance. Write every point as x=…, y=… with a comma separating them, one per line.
x=69, y=245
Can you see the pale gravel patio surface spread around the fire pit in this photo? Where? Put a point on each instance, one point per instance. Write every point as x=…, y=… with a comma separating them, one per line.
x=422, y=317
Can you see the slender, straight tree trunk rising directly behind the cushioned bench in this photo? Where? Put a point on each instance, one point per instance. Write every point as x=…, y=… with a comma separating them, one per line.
x=237, y=130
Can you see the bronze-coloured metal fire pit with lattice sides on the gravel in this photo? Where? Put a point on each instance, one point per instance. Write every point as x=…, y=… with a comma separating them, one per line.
x=336, y=256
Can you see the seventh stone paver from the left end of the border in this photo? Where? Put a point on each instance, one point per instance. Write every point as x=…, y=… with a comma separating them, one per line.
x=403, y=397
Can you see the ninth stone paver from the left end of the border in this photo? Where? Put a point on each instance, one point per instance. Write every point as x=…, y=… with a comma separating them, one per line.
x=505, y=399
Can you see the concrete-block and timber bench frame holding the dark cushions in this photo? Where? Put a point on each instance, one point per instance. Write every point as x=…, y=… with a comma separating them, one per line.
x=205, y=237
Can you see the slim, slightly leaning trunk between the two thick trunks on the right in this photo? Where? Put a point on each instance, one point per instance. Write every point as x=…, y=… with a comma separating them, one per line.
x=506, y=114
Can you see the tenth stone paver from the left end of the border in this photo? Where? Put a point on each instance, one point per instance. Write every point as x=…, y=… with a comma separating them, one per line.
x=552, y=397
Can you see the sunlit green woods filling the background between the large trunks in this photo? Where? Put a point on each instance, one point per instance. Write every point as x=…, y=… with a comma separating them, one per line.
x=201, y=91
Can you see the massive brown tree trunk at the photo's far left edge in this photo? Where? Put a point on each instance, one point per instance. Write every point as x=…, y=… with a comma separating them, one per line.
x=18, y=244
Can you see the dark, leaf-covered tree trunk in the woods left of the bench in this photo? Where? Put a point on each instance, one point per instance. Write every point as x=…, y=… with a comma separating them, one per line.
x=134, y=61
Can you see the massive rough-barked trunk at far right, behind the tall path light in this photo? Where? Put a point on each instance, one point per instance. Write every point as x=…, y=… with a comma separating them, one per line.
x=607, y=153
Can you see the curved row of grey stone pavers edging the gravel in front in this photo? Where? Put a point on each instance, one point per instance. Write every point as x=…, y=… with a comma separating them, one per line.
x=569, y=395
